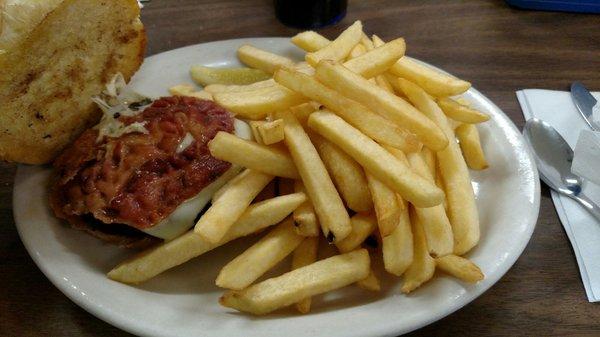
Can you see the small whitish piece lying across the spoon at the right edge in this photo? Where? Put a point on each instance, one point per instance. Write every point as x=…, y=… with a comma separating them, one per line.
x=586, y=160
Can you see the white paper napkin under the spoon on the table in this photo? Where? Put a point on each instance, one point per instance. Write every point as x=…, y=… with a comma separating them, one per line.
x=557, y=109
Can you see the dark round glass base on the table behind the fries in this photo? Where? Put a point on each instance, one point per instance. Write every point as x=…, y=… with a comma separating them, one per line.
x=308, y=14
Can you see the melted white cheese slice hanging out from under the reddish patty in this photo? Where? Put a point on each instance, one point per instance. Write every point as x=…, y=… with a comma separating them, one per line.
x=184, y=215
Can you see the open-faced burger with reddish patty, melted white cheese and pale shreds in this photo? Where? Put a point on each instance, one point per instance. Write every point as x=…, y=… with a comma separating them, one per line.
x=144, y=173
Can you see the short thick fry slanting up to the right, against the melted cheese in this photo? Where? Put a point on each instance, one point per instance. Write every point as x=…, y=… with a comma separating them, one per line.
x=228, y=208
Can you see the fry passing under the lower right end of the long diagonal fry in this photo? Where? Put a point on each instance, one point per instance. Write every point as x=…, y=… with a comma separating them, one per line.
x=437, y=228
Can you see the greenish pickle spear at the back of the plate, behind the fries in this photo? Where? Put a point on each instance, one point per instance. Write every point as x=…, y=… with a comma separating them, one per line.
x=238, y=76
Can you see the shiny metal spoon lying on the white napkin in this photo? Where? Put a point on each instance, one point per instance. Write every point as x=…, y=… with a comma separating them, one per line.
x=553, y=157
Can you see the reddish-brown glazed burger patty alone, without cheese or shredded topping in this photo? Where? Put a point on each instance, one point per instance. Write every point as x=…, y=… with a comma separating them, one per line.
x=138, y=179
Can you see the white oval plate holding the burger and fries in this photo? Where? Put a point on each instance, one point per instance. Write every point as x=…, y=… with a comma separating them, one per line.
x=183, y=301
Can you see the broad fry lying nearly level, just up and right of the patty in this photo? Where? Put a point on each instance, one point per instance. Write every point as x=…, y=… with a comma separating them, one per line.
x=258, y=103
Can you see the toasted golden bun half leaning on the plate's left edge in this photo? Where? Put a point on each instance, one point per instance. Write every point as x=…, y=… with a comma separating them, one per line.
x=55, y=55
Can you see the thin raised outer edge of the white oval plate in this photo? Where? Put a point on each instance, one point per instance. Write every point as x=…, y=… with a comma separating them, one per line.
x=383, y=330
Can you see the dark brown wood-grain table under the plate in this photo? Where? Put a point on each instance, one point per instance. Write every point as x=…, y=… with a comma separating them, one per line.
x=498, y=48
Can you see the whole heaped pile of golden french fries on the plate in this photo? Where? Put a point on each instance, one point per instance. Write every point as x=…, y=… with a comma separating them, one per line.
x=370, y=144
